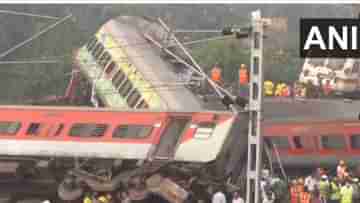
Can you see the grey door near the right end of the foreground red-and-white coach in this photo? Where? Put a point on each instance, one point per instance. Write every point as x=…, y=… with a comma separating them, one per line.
x=170, y=137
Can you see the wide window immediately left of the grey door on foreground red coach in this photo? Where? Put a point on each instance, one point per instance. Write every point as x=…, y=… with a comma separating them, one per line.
x=132, y=131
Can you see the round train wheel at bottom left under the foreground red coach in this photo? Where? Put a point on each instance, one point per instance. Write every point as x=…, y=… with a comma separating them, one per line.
x=69, y=190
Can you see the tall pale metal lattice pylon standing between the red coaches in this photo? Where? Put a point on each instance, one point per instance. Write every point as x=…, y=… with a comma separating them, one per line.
x=254, y=163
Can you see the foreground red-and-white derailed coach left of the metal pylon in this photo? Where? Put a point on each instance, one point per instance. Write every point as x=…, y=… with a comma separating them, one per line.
x=124, y=144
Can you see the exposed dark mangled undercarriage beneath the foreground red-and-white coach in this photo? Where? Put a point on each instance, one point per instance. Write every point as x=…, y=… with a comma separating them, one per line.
x=172, y=181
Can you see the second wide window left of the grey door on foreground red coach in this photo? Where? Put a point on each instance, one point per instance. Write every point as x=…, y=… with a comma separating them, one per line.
x=87, y=130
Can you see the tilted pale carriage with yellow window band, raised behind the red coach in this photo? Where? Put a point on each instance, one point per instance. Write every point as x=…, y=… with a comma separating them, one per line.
x=128, y=70
